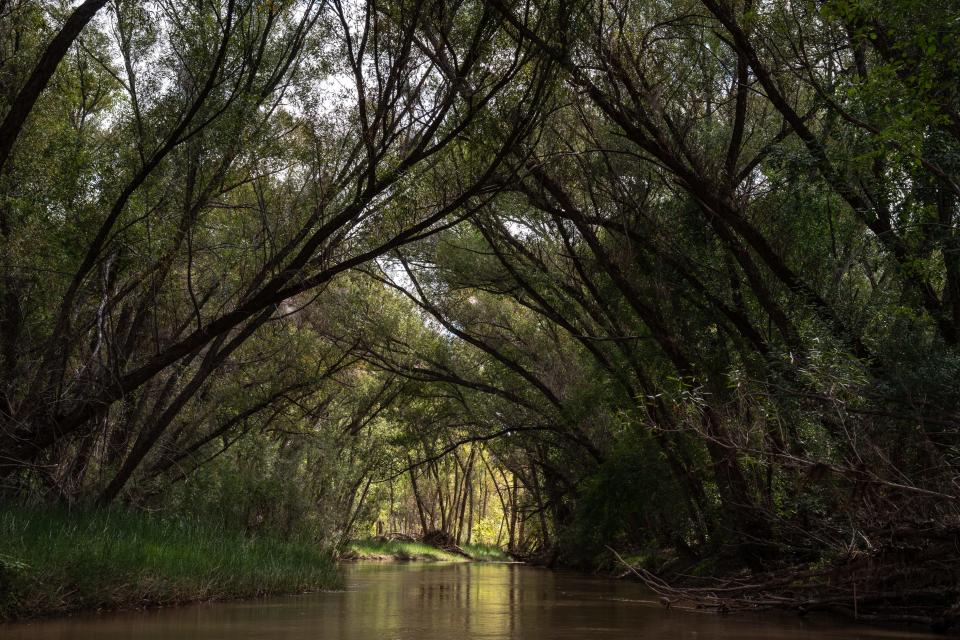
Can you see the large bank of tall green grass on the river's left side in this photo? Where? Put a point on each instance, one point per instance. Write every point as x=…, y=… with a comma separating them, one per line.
x=56, y=562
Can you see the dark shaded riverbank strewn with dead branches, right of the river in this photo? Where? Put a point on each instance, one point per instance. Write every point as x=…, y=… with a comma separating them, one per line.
x=882, y=587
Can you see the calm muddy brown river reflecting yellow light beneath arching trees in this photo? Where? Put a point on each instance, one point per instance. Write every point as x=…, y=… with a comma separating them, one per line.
x=423, y=601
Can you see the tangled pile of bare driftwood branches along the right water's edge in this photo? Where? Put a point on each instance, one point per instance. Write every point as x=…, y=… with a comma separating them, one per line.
x=902, y=582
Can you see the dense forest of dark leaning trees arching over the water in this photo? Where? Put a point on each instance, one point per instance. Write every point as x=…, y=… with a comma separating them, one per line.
x=662, y=287
